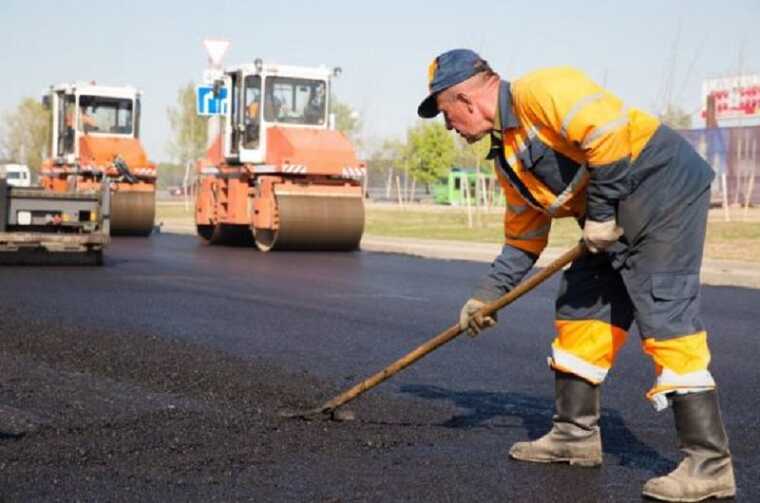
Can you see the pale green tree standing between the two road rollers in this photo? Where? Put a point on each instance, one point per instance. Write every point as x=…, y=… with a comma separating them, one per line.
x=188, y=141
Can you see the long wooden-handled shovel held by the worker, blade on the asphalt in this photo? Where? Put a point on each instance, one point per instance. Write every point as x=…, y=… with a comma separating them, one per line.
x=450, y=333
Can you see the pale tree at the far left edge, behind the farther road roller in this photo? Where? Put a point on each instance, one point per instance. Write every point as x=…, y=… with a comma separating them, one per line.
x=25, y=133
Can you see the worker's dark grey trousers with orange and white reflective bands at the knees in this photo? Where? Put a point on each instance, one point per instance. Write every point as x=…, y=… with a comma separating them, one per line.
x=650, y=277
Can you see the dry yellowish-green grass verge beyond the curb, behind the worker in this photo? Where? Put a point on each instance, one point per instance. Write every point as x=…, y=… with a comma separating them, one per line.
x=735, y=240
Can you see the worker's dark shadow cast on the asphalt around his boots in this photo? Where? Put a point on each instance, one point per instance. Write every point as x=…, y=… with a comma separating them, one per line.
x=535, y=413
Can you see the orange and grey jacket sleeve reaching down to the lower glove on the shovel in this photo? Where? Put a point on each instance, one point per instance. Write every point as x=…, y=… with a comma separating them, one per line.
x=526, y=233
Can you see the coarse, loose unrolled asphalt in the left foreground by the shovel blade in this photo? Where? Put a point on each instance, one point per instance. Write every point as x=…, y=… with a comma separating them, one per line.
x=119, y=416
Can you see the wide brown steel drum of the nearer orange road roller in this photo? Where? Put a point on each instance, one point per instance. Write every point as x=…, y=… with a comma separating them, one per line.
x=315, y=222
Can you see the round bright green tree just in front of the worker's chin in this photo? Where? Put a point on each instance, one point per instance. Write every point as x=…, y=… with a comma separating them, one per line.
x=430, y=151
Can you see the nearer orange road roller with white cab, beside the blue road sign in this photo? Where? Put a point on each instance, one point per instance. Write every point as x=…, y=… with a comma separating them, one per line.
x=277, y=173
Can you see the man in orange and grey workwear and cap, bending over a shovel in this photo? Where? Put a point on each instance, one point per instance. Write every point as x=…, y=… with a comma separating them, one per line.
x=565, y=147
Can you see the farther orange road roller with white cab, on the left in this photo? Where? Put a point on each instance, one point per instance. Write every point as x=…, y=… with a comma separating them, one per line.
x=95, y=138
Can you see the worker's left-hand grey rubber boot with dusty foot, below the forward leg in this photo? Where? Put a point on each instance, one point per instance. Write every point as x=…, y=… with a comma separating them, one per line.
x=575, y=436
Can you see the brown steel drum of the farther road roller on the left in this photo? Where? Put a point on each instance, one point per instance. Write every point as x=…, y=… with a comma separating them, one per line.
x=132, y=212
